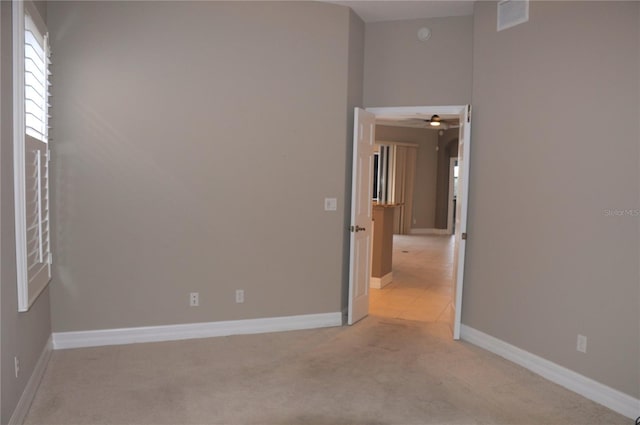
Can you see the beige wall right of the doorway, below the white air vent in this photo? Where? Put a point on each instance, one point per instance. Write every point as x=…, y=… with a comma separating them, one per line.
x=543, y=175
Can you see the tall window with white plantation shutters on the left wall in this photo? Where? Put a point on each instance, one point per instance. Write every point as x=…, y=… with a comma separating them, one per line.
x=31, y=153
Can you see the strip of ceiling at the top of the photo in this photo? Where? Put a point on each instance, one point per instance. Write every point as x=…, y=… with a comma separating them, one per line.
x=391, y=10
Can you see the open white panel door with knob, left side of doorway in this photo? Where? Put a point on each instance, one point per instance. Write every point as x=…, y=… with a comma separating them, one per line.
x=364, y=128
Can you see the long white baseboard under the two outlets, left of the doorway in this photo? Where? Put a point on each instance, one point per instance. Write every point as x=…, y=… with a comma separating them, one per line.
x=62, y=340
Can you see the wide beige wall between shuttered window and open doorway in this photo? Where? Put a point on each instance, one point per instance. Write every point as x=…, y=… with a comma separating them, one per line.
x=195, y=143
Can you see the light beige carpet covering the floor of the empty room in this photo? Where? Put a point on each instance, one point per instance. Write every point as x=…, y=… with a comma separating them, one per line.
x=380, y=371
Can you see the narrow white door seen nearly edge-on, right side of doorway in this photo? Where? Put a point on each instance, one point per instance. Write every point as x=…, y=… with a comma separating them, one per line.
x=464, y=141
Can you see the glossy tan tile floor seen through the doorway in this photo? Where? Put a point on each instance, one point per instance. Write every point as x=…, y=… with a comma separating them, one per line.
x=422, y=286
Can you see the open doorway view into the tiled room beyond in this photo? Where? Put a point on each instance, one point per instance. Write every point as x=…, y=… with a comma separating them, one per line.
x=419, y=278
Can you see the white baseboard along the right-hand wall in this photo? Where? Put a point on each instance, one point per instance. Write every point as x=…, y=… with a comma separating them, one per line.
x=586, y=387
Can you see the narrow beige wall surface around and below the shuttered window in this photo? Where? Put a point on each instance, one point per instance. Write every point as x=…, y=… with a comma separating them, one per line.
x=21, y=334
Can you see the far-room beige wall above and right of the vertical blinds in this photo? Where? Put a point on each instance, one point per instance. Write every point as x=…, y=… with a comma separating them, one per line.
x=424, y=192
